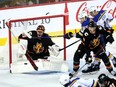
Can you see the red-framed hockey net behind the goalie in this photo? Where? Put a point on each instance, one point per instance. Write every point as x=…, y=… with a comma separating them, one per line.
x=54, y=26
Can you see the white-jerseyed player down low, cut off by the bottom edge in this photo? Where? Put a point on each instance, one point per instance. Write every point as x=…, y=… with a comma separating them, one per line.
x=77, y=82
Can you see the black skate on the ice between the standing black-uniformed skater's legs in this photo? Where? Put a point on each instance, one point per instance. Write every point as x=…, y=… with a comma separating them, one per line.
x=92, y=69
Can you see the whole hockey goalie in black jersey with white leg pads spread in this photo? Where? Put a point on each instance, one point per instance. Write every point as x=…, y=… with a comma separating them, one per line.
x=40, y=51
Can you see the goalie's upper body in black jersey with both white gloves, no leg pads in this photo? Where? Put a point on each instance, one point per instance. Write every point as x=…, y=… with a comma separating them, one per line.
x=36, y=43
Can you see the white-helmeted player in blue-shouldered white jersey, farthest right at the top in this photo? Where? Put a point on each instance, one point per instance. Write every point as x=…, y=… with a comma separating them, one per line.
x=102, y=17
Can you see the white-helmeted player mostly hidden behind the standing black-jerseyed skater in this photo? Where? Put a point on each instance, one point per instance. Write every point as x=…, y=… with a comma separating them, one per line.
x=84, y=20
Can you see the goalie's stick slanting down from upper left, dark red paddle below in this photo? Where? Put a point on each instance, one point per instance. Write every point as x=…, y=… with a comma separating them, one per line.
x=27, y=55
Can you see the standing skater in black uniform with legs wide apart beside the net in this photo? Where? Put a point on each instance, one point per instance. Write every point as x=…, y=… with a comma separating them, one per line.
x=91, y=38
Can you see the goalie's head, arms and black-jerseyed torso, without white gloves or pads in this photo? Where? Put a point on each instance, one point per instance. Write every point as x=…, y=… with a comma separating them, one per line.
x=39, y=43
